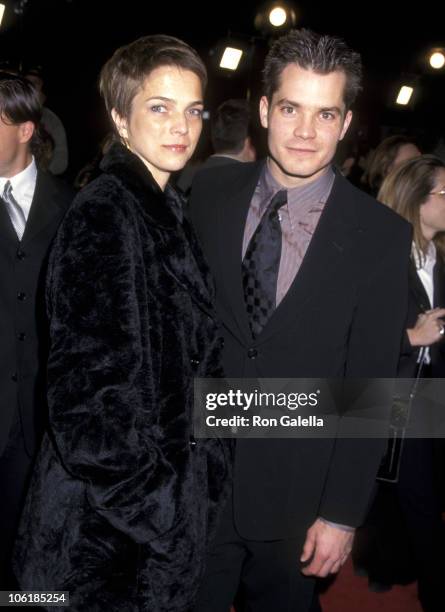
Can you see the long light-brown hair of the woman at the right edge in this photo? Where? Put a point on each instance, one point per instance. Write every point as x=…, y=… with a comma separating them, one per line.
x=406, y=188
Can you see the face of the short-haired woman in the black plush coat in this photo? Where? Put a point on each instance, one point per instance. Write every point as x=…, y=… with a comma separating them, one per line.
x=165, y=121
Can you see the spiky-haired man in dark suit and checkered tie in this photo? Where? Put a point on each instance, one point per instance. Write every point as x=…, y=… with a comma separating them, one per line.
x=334, y=308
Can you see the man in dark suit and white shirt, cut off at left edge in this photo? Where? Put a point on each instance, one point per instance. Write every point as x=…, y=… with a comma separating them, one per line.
x=32, y=205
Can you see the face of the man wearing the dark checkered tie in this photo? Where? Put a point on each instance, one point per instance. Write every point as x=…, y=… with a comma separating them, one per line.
x=305, y=119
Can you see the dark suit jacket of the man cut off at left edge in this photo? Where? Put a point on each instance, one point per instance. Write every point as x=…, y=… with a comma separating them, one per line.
x=23, y=329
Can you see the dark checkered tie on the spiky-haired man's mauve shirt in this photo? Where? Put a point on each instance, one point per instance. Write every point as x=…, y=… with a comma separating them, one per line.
x=260, y=266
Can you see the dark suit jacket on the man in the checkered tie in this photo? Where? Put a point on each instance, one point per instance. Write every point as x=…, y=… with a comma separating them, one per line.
x=342, y=317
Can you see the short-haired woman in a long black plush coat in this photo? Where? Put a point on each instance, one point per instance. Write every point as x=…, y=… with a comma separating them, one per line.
x=123, y=500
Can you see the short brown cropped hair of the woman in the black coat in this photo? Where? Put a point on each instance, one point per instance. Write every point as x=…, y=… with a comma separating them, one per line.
x=125, y=72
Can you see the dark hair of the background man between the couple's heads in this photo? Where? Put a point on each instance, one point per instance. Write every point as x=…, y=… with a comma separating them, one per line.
x=230, y=126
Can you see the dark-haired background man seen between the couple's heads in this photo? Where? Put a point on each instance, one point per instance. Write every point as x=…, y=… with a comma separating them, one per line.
x=231, y=141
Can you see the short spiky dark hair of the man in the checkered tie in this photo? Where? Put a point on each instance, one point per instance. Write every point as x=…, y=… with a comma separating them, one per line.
x=312, y=51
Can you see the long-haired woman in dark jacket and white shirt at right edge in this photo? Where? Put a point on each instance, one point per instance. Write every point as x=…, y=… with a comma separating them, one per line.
x=416, y=190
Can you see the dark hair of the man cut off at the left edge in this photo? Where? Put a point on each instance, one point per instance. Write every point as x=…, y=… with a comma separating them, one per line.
x=19, y=103
